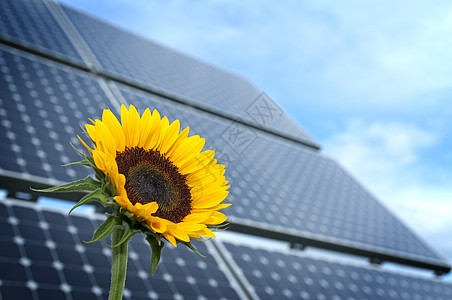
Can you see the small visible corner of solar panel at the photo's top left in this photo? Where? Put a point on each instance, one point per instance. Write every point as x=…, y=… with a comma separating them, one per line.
x=31, y=23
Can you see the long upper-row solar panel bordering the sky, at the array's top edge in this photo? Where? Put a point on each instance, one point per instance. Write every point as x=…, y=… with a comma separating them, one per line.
x=182, y=77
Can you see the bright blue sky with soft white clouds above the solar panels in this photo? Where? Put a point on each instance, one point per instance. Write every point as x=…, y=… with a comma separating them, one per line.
x=371, y=81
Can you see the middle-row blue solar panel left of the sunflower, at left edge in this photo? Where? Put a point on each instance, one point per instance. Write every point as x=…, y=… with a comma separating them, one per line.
x=42, y=105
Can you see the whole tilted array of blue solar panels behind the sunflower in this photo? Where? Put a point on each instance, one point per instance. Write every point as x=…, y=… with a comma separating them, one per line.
x=280, y=183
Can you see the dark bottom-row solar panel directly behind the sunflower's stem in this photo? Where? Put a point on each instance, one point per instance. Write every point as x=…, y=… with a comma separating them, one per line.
x=42, y=255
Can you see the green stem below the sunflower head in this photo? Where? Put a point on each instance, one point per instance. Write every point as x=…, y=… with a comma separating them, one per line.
x=119, y=267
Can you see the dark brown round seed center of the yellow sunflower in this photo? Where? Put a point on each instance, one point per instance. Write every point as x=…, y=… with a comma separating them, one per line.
x=151, y=177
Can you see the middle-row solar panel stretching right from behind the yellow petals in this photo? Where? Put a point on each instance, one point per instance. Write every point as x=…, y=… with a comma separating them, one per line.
x=280, y=186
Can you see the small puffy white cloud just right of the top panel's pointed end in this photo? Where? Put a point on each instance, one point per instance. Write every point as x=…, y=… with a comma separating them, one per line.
x=384, y=147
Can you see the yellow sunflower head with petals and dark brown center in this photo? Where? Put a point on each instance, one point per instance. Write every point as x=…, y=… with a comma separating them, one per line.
x=159, y=173
